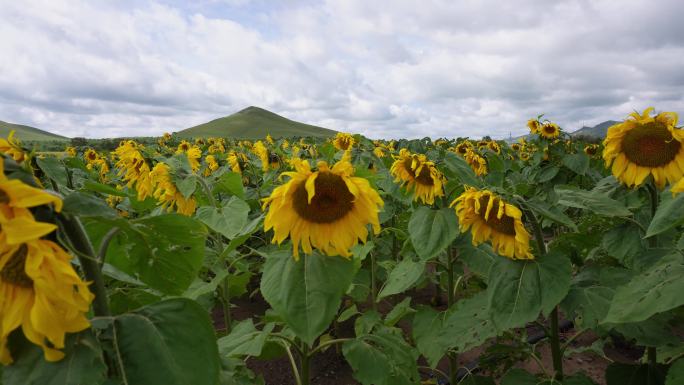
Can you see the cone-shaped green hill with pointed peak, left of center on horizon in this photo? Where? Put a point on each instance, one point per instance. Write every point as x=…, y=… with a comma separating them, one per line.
x=254, y=123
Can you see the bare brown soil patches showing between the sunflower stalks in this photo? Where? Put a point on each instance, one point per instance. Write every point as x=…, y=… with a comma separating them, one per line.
x=330, y=367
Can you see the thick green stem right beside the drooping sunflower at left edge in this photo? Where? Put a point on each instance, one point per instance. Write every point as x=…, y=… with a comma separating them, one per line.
x=78, y=237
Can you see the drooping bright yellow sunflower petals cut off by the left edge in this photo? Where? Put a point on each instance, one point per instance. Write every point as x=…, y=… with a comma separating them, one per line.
x=39, y=289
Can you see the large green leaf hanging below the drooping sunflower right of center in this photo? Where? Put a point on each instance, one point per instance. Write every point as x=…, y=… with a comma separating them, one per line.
x=520, y=290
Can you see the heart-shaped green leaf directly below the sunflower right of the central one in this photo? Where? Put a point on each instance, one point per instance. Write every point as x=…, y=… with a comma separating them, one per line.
x=432, y=231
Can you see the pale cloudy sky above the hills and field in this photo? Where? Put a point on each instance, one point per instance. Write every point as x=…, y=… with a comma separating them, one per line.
x=439, y=68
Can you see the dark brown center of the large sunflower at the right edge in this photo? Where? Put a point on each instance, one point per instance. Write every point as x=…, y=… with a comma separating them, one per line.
x=650, y=145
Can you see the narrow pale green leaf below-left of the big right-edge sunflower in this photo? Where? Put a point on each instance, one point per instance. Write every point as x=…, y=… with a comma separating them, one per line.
x=594, y=201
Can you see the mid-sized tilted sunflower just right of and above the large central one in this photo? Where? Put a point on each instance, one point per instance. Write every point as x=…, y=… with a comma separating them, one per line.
x=417, y=173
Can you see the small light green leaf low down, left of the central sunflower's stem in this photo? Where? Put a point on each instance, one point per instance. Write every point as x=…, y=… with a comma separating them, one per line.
x=244, y=340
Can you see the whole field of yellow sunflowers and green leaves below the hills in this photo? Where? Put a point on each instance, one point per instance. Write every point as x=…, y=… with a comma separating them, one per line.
x=548, y=260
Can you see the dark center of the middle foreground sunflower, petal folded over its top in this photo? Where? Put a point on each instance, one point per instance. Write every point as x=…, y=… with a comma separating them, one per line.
x=332, y=200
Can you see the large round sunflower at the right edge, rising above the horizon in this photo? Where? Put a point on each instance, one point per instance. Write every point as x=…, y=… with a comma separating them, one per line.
x=643, y=145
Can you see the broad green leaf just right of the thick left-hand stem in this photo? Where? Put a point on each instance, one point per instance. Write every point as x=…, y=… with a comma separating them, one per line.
x=164, y=251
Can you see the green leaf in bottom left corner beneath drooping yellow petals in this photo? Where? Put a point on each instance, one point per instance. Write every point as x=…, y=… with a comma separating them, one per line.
x=83, y=363
